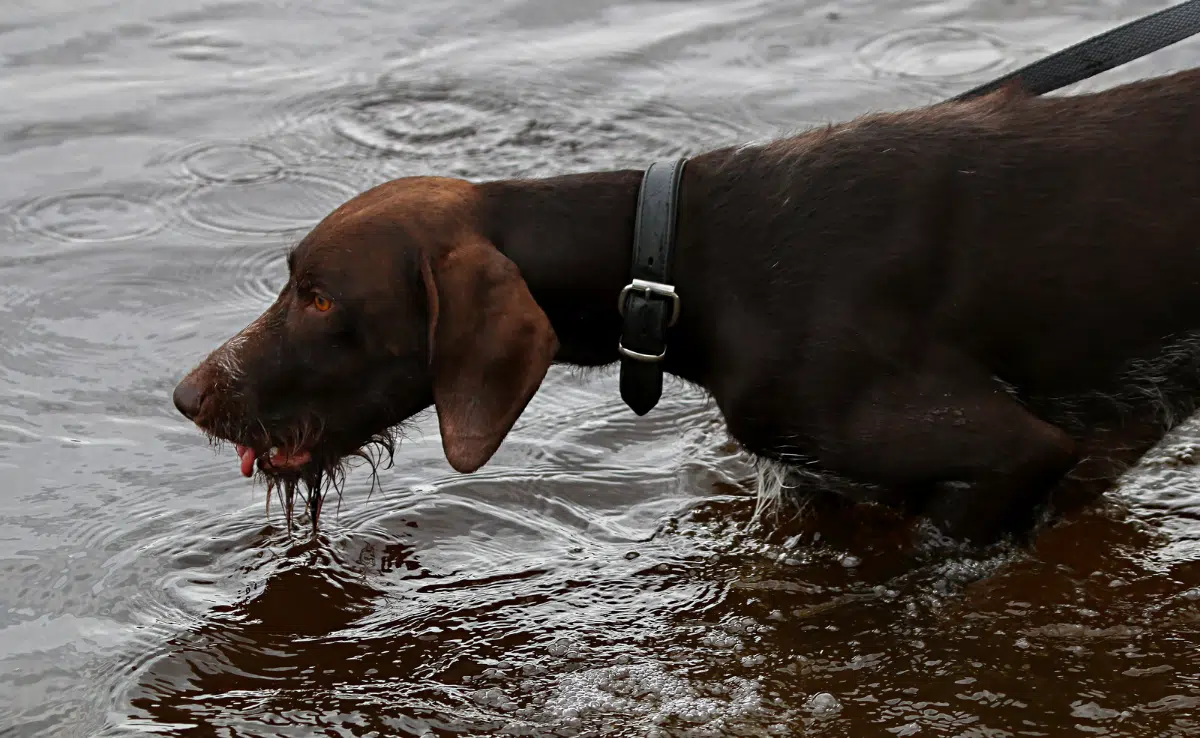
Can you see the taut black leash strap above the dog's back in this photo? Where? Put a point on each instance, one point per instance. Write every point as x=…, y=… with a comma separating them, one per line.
x=1101, y=53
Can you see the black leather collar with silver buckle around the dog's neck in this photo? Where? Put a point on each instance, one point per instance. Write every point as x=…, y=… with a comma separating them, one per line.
x=650, y=305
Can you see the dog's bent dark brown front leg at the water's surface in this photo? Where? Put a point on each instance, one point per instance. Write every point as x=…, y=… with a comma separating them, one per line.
x=949, y=422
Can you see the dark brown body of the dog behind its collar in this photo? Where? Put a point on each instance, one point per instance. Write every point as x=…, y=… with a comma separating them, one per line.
x=1052, y=244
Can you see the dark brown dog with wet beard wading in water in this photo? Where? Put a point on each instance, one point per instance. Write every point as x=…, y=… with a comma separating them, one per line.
x=953, y=308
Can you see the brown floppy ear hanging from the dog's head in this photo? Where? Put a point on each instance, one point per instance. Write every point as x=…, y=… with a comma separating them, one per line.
x=490, y=349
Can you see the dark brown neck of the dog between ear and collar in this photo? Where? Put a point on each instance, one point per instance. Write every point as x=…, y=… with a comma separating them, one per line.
x=572, y=237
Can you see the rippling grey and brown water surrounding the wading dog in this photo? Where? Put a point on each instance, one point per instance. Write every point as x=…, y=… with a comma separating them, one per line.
x=601, y=575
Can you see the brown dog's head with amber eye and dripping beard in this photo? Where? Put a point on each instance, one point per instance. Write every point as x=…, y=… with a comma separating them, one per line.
x=394, y=303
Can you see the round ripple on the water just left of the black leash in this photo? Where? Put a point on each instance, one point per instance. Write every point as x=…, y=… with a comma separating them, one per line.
x=945, y=53
